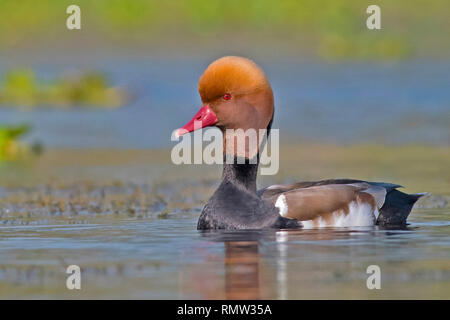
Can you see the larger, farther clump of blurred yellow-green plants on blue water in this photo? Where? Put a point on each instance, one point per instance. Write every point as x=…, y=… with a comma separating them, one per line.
x=23, y=89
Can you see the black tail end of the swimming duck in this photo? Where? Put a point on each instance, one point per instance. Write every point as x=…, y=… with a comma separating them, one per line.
x=397, y=208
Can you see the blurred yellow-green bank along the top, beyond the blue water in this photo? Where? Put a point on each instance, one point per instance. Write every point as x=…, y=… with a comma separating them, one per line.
x=327, y=28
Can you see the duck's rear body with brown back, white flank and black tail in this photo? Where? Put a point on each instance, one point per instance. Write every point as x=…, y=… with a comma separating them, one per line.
x=342, y=202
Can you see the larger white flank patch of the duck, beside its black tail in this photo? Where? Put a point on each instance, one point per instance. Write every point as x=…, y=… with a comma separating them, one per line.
x=360, y=215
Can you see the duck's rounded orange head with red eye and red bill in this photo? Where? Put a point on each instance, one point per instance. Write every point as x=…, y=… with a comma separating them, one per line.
x=236, y=94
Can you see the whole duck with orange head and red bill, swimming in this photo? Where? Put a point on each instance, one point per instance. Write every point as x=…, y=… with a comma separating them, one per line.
x=236, y=94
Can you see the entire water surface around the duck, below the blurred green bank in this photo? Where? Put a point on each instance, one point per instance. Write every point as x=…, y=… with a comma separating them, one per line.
x=128, y=217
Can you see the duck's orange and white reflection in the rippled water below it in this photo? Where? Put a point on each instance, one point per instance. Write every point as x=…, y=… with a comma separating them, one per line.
x=284, y=264
